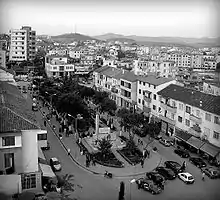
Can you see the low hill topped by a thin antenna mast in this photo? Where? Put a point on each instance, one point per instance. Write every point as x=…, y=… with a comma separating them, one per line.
x=71, y=37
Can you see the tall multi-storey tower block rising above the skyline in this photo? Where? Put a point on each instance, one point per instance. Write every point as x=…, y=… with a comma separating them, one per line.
x=22, y=44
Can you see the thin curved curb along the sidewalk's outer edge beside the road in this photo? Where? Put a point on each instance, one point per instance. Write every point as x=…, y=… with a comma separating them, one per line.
x=89, y=170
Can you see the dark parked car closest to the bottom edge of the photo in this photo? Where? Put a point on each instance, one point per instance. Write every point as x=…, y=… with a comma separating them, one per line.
x=148, y=185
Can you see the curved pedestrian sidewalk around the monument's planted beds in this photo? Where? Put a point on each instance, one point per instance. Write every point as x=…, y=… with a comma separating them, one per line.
x=70, y=142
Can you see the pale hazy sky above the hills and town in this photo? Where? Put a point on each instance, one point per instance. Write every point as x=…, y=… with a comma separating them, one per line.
x=182, y=18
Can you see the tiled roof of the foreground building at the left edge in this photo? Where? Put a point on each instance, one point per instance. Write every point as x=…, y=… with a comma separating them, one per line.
x=14, y=112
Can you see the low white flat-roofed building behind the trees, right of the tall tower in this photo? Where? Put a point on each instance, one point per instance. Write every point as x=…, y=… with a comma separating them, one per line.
x=58, y=66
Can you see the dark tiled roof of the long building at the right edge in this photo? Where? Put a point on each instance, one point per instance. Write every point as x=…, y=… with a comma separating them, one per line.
x=191, y=97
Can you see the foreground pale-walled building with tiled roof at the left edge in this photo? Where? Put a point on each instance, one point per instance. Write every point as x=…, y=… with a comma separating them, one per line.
x=18, y=143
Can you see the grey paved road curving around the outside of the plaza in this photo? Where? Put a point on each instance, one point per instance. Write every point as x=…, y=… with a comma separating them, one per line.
x=98, y=187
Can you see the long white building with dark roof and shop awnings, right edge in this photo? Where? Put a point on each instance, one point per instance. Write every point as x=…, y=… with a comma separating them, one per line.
x=194, y=112
